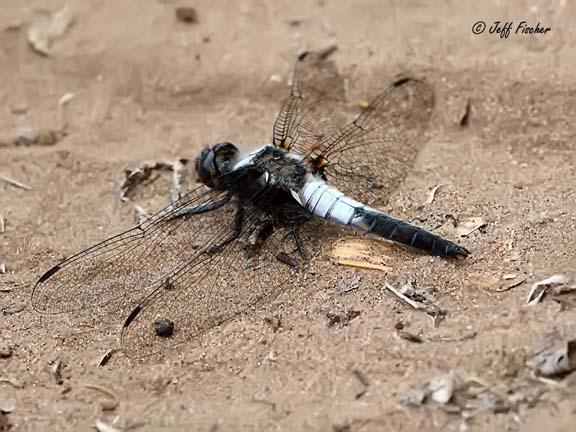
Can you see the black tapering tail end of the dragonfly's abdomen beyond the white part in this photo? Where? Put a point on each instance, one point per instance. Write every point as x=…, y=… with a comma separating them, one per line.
x=397, y=230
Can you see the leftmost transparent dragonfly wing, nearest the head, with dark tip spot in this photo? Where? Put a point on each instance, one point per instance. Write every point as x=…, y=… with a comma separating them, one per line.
x=118, y=272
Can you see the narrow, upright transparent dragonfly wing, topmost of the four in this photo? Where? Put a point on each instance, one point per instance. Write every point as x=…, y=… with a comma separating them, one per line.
x=315, y=103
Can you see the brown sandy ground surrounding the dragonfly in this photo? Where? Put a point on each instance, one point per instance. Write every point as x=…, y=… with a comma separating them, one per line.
x=147, y=87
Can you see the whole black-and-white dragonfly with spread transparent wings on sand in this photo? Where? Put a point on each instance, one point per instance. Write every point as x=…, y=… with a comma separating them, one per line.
x=255, y=221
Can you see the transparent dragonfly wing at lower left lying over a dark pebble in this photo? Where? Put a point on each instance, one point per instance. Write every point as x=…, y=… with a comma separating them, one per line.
x=215, y=288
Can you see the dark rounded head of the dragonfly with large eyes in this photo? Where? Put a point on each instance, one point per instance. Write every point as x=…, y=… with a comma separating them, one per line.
x=215, y=161
